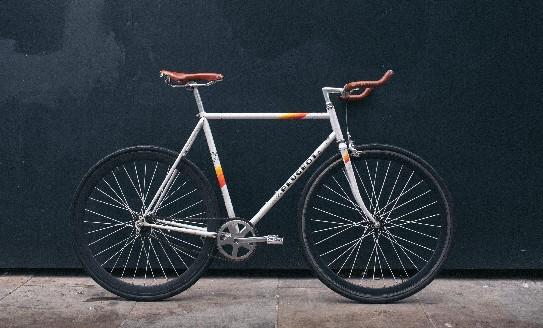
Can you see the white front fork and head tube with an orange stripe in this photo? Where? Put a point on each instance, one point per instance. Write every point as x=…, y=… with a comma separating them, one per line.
x=344, y=152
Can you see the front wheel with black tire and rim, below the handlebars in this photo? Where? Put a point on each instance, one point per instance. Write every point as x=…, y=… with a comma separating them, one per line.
x=410, y=246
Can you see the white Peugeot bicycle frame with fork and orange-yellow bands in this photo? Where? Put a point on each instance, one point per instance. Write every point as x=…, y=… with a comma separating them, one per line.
x=336, y=135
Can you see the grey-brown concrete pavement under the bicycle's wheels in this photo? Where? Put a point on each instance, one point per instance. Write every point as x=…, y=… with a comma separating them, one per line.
x=76, y=301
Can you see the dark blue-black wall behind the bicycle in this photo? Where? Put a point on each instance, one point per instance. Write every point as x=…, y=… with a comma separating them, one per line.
x=79, y=79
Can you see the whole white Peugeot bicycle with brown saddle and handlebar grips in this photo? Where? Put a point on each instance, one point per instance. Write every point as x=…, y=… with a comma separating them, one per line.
x=375, y=221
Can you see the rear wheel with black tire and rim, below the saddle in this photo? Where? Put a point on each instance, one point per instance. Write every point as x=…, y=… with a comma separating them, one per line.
x=123, y=182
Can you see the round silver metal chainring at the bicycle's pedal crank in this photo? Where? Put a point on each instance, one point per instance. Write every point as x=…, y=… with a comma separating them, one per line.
x=227, y=244
